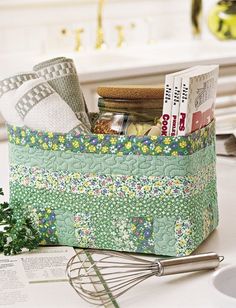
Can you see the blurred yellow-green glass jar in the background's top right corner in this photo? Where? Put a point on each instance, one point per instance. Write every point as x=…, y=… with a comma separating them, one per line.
x=222, y=20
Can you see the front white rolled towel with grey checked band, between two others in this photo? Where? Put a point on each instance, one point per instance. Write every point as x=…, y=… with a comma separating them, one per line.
x=40, y=107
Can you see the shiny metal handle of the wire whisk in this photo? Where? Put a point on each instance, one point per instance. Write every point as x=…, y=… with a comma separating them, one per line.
x=204, y=261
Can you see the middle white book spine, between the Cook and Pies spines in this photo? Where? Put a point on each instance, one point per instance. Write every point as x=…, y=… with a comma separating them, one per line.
x=175, y=106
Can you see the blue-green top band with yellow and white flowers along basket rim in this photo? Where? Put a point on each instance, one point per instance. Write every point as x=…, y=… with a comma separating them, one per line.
x=114, y=144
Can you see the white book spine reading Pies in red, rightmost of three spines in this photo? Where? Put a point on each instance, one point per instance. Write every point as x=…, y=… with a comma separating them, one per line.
x=183, y=108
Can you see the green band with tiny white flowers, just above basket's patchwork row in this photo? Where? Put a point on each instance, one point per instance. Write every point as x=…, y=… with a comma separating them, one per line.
x=103, y=207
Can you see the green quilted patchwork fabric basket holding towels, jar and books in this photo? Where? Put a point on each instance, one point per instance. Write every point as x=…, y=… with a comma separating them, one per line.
x=139, y=194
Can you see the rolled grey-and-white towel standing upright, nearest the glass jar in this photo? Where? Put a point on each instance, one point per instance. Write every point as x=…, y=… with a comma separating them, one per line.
x=61, y=74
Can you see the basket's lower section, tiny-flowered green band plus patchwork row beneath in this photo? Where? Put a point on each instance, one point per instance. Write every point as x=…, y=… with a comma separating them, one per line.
x=168, y=226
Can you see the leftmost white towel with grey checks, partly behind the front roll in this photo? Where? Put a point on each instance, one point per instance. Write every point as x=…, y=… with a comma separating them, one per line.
x=8, y=86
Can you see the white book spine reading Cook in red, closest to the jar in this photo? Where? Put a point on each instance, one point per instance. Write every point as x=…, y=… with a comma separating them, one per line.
x=167, y=106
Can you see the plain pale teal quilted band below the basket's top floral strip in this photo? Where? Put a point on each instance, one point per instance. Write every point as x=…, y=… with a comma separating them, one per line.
x=110, y=164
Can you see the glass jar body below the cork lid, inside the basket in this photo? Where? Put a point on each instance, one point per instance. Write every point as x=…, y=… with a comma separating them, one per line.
x=128, y=116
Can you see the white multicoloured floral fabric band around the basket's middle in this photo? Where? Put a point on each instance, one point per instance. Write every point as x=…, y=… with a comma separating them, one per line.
x=109, y=185
